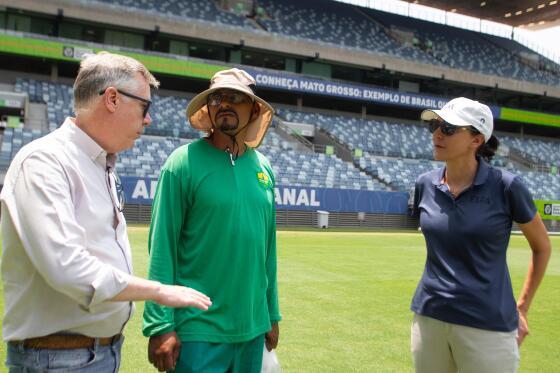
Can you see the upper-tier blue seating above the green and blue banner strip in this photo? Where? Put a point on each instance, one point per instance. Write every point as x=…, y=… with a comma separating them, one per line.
x=345, y=25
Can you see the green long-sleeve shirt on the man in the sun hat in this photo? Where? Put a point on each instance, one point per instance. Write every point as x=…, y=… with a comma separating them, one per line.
x=214, y=229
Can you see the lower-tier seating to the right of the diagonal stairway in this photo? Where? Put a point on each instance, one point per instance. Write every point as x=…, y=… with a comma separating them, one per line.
x=396, y=153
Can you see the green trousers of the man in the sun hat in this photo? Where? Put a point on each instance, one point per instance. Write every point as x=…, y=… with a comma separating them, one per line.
x=198, y=357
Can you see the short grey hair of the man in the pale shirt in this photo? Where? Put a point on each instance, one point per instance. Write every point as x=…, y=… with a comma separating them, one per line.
x=102, y=70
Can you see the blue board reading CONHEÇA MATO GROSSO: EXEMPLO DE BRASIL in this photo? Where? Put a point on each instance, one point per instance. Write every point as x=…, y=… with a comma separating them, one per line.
x=301, y=84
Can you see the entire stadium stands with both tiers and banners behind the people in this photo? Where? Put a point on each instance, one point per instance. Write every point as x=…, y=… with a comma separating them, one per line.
x=348, y=84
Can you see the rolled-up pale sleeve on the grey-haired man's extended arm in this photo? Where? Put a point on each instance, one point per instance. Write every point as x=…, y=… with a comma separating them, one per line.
x=40, y=205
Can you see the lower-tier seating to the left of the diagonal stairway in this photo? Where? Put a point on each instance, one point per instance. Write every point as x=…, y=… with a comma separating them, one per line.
x=170, y=130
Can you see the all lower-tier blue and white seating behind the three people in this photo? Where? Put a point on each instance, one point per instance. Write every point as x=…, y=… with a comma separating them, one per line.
x=395, y=154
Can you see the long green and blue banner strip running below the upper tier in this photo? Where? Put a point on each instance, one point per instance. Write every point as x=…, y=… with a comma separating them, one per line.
x=183, y=66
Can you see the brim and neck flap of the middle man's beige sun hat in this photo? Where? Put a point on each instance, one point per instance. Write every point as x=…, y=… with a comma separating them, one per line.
x=198, y=117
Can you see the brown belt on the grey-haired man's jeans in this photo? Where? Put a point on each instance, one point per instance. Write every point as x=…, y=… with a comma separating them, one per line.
x=66, y=341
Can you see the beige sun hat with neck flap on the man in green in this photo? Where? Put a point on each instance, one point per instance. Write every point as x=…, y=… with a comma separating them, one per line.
x=239, y=80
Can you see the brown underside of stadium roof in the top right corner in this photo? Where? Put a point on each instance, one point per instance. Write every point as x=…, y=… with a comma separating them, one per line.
x=533, y=14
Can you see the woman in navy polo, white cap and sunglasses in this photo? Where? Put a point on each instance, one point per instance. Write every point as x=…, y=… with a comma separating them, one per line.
x=466, y=318
